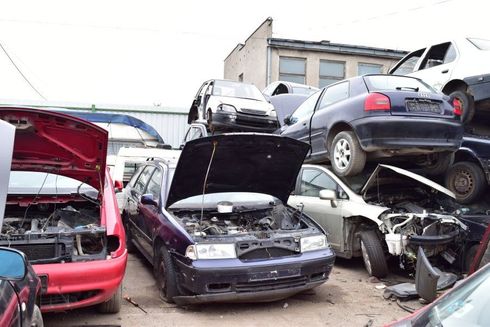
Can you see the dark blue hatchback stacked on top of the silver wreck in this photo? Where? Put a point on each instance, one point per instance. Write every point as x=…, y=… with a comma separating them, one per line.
x=376, y=116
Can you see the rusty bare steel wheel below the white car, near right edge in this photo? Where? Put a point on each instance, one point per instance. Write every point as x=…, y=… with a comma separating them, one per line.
x=467, y=181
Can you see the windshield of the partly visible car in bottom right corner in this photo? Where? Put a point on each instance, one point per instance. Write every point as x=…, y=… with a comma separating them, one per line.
x=466, y=306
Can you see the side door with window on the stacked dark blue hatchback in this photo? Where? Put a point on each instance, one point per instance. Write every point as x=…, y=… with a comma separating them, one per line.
x=298, y=126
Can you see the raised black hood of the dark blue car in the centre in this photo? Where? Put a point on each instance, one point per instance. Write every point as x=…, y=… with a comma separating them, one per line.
x=244, y=162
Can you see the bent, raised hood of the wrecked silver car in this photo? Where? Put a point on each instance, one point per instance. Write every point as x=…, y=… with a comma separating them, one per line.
x=374, y=179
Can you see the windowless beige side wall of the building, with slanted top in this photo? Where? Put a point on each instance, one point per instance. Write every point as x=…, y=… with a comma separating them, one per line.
x=250, y=58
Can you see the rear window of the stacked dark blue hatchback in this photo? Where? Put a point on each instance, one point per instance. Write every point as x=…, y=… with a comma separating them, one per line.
x=395, y=83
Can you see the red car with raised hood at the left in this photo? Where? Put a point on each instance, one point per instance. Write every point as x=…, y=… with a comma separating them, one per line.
x=62, y=212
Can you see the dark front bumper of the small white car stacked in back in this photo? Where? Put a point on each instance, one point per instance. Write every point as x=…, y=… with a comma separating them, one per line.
x=245, y=122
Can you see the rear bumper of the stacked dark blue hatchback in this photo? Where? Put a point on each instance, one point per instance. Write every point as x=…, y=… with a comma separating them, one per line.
x=416, y=134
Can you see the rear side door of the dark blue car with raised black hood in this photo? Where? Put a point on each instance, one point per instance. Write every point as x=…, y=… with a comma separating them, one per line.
x=135, y=221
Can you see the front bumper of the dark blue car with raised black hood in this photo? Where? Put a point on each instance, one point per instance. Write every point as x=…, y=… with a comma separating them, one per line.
x=233, y=280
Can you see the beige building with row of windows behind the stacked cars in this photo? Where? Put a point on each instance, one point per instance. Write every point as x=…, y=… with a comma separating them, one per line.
x=263, y=59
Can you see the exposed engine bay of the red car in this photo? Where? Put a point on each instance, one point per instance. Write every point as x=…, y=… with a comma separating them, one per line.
x=48, y=232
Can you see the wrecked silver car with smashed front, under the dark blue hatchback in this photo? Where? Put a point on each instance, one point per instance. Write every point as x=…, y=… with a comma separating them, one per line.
x=394, y=213
